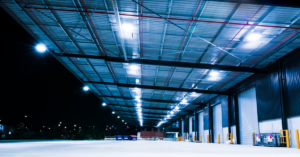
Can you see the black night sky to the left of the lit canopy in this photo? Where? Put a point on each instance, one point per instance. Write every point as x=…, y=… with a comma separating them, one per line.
x=39, y=86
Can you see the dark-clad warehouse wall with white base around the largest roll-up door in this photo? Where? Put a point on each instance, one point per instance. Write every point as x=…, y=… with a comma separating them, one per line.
x=277, y=93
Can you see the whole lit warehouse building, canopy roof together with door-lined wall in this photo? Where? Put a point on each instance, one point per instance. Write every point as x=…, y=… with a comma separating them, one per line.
x=214, y=71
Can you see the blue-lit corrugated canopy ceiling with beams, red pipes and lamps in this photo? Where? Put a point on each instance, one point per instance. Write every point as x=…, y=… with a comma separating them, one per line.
x=180, y=54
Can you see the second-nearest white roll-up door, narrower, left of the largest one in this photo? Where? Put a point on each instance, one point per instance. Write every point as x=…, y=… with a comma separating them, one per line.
x=217, y=123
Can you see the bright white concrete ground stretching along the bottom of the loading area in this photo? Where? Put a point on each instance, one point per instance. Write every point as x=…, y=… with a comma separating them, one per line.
x=137, y=148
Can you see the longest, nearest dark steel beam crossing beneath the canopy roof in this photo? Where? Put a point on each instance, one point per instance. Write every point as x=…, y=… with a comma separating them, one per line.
x=169, y=63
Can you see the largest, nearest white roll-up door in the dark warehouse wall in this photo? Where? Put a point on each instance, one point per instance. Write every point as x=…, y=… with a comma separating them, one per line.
x=248, y=121
